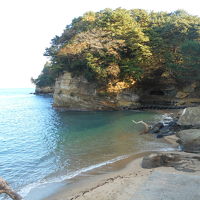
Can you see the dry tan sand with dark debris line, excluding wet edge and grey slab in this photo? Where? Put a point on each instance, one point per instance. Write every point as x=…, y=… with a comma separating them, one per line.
x=120, y=184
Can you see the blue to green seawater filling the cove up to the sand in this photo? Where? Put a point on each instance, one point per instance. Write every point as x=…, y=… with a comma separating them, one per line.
x=40, y=144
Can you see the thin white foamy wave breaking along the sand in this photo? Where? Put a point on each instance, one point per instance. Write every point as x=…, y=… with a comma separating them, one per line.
x=25, y=190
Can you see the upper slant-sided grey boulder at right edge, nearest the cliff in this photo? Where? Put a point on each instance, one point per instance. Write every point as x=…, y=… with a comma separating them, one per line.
x=190, y=117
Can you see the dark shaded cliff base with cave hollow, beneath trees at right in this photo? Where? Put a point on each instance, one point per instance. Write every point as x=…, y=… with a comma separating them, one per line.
x=164, y=92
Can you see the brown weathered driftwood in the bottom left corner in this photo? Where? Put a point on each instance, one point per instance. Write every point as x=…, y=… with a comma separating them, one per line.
x=5, y=188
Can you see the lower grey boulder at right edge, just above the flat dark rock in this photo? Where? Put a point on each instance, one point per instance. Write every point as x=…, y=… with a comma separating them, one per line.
x=189, y=140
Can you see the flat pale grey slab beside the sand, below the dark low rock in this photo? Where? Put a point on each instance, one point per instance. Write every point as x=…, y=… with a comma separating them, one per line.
x=162, y=185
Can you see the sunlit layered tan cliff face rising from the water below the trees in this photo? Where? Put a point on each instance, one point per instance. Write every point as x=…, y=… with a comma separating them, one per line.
x=76, y=93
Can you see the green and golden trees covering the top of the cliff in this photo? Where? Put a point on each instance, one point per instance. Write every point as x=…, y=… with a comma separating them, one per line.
x=125, y=45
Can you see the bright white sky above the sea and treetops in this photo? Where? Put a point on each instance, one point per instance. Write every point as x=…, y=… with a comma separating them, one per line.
x=27, y=27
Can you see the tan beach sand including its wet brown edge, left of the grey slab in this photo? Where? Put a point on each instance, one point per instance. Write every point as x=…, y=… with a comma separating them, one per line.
x=108, y=181
